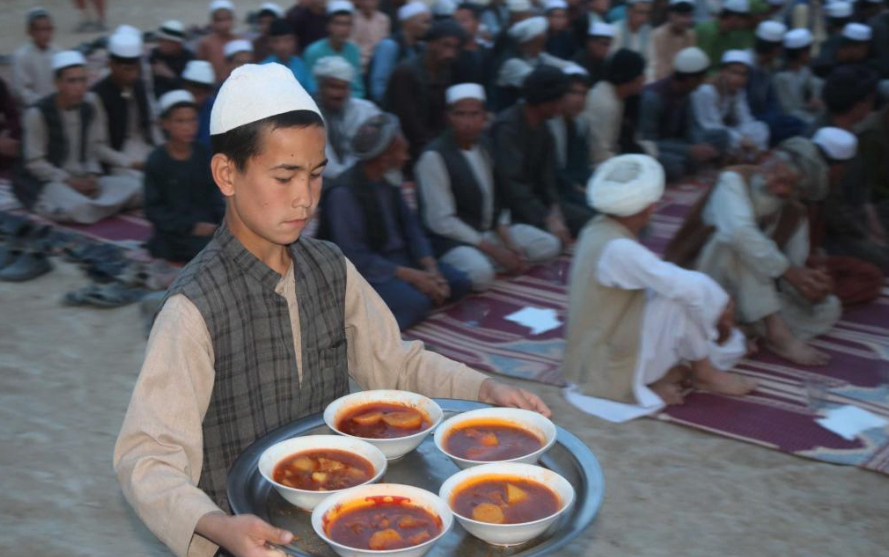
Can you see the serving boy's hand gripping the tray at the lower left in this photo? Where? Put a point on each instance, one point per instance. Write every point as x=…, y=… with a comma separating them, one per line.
x=243, y=535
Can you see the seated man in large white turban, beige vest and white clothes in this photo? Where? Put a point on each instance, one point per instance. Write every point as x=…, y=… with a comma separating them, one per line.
x=641, y=330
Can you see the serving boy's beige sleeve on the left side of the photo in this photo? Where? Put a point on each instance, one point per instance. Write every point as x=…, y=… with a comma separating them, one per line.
x=159, y=452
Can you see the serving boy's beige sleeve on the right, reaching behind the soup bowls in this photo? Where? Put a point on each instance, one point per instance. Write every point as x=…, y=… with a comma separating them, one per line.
x=380, y=359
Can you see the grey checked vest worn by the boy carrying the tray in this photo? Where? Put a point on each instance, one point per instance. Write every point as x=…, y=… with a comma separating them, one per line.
x=256, y=388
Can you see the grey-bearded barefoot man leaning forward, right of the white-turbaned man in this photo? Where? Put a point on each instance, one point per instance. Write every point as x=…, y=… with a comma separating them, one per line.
x=752, y=237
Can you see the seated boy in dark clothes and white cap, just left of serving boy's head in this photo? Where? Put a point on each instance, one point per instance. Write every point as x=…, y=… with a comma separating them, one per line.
x=181, y=200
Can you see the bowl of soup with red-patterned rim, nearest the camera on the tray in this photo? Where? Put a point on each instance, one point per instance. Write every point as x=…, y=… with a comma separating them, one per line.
x=382, y=519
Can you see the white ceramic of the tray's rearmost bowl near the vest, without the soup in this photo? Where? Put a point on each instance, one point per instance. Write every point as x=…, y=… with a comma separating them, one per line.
x=392, y=448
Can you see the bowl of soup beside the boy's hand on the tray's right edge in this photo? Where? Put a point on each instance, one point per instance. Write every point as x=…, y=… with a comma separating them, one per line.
x=495, y=435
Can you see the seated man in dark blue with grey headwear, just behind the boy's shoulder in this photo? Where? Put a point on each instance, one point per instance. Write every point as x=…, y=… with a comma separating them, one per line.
x=365, y=214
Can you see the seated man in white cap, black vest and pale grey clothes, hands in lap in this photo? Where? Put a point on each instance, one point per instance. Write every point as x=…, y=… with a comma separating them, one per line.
x=459, y=200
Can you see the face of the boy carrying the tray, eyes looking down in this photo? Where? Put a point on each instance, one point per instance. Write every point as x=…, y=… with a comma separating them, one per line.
x=278, y=191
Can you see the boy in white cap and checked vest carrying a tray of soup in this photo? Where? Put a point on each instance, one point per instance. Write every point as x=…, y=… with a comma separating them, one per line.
x=262, y=314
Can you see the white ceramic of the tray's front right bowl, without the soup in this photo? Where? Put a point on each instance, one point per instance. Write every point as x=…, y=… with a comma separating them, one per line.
x=510, y=534
